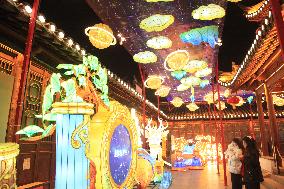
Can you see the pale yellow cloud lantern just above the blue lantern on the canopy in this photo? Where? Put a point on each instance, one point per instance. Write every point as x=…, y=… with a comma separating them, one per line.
x=209, y=12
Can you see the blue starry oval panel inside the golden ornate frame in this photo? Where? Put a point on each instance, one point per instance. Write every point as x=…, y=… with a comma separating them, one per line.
x=120, y=155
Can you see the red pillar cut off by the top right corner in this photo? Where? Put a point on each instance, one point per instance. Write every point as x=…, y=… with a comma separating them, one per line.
x=279, y=23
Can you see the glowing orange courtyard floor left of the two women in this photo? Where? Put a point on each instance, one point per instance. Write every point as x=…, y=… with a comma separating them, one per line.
x=200, y=179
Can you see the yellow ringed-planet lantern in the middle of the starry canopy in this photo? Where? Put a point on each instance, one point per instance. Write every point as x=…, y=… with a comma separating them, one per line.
x=176, y=60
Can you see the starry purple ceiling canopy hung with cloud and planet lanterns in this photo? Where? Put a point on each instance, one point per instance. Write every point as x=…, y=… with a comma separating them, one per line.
x=175, y=42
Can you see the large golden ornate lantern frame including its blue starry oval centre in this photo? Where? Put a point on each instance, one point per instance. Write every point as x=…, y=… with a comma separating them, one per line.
x=113, y=144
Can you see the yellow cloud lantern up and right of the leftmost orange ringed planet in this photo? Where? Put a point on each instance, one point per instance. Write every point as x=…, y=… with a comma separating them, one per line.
x=156, y=22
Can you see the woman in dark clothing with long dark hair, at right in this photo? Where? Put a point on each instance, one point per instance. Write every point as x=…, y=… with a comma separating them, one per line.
x=252, y=170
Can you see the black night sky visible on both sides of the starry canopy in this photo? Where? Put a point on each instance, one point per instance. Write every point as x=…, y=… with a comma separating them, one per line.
x=73, y=16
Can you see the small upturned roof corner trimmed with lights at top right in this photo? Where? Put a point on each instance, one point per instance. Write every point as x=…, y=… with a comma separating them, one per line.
x=258, y=12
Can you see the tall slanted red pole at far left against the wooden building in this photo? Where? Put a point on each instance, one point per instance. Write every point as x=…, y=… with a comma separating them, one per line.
x=25, y=69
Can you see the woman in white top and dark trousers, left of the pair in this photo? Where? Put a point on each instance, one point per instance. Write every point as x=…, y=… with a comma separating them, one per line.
x=234, y=154
